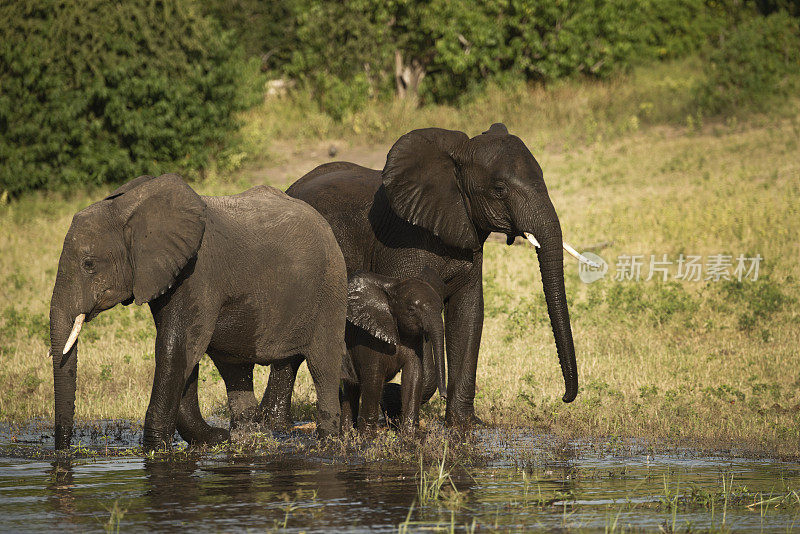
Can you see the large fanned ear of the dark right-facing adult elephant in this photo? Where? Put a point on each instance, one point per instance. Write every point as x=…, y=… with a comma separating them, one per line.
x=422, y=183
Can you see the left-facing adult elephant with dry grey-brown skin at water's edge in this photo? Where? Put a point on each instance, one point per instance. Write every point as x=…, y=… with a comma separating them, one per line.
x=252, y=278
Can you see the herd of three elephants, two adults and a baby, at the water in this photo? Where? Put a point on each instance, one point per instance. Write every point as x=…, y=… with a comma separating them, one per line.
x=359, y=272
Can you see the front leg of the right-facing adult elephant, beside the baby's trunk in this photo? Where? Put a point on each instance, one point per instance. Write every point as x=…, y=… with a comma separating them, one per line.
x=463, y=325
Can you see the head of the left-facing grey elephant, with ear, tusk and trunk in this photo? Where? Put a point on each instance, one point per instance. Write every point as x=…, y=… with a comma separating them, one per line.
x=129, y=246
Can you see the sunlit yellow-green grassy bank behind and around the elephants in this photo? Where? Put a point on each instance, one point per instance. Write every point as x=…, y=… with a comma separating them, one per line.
x=626, y=162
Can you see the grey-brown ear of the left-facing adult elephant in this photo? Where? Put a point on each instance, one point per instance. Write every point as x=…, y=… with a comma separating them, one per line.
x=164, y=221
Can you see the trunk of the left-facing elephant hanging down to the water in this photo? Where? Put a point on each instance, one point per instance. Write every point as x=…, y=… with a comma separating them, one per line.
x=64, y=373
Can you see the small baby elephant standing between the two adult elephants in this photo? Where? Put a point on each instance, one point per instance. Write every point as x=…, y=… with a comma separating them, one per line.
x=391, y=325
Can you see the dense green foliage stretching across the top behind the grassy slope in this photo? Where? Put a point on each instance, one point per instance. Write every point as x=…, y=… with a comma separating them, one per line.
x=96, y=92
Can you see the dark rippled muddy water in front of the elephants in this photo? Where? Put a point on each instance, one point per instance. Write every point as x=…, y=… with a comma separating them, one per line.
x=528, y=484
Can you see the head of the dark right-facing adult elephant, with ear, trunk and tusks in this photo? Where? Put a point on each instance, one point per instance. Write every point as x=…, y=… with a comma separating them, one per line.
x=462, y=189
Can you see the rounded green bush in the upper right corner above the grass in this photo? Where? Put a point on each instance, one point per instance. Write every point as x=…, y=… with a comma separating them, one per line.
x=755, y=62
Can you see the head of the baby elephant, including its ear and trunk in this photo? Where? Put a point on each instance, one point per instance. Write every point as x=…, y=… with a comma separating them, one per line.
x=392, y=309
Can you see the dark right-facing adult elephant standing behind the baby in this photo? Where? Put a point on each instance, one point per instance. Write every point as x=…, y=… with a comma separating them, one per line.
x=432, y=206
